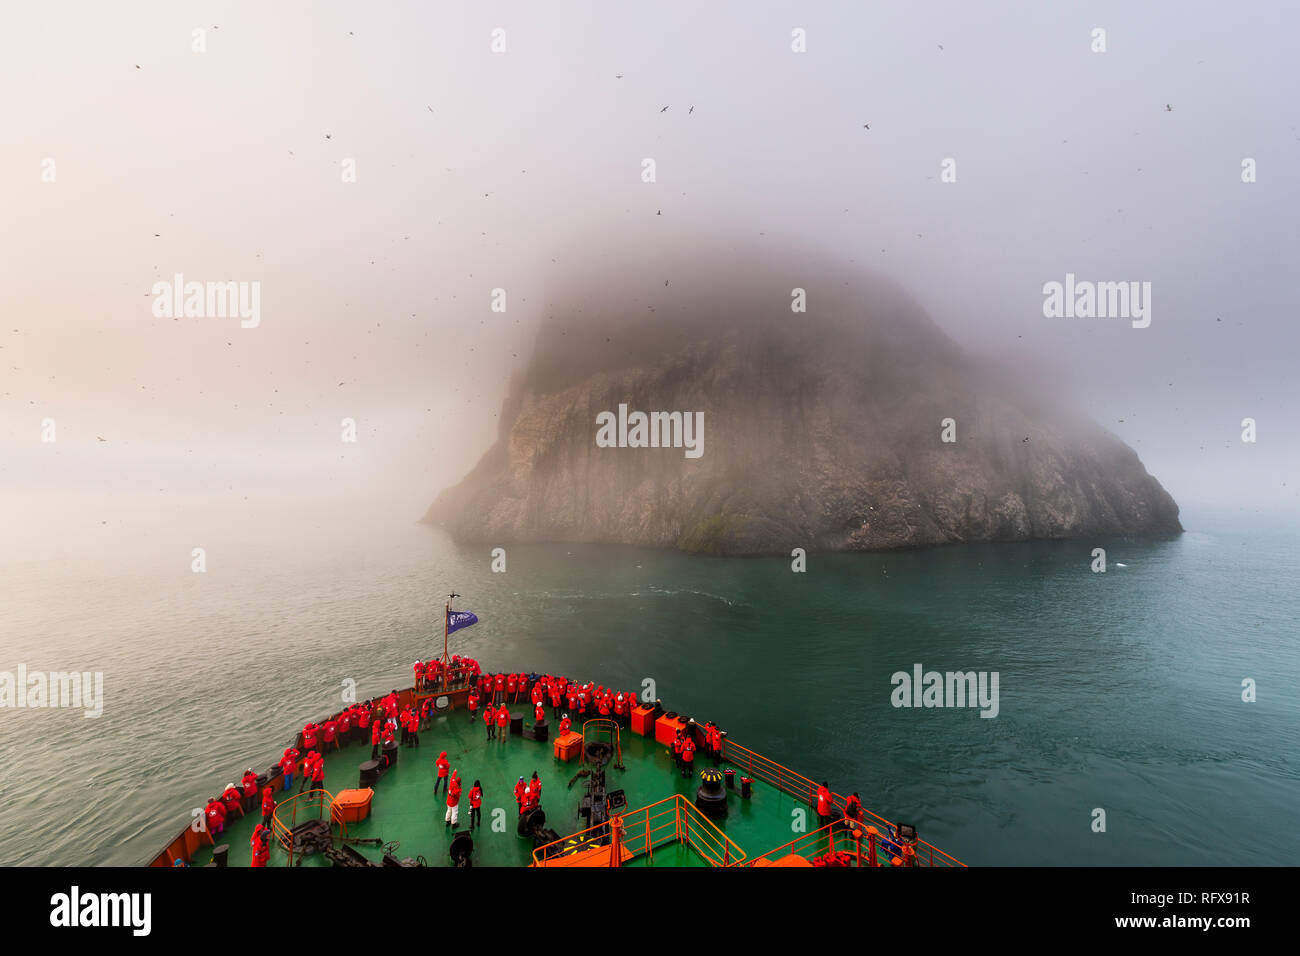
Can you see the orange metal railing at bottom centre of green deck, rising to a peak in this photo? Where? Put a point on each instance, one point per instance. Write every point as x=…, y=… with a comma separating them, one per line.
x=673, y=820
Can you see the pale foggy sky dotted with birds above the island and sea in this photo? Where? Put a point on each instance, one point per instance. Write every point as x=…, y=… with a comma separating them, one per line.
x=476, y=170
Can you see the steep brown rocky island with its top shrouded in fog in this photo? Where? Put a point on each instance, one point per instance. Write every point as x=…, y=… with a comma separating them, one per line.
x=821, y=431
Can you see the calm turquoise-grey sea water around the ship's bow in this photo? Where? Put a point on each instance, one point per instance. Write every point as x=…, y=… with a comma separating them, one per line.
x=1120, y=691
